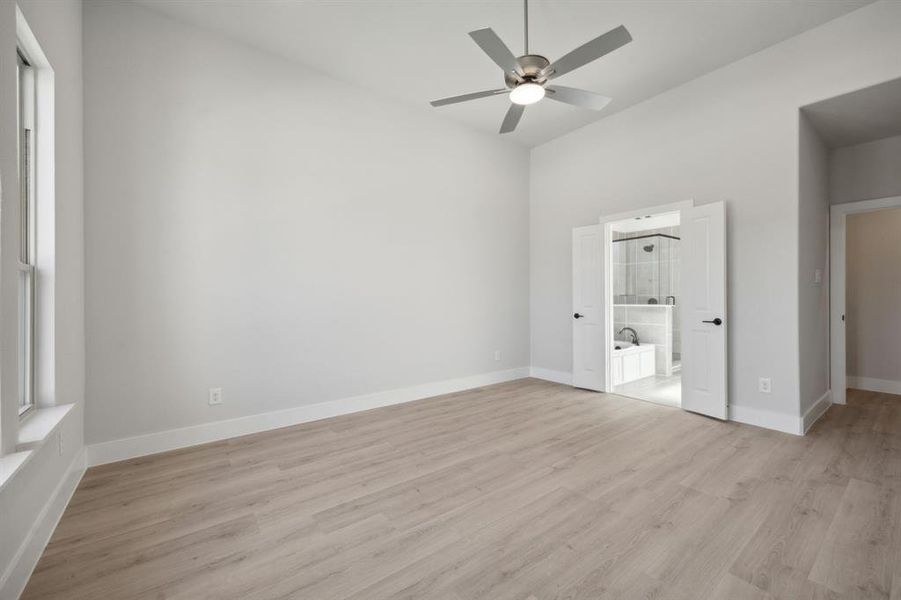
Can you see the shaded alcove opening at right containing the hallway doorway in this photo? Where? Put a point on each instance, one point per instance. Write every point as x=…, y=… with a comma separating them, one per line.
x=849, y=188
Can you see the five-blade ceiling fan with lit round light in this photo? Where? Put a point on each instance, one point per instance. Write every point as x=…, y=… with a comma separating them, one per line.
x=527, y=77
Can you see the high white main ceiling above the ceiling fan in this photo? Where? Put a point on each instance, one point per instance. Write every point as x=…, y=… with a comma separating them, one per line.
x=416, y=51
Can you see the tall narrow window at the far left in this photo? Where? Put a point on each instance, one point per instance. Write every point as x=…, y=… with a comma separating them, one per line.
x=27, y=284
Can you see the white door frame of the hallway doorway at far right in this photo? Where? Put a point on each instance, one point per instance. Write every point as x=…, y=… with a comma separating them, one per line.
x=837, y=264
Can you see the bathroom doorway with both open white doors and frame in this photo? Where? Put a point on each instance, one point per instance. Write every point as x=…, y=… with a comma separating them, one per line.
x=678, y=294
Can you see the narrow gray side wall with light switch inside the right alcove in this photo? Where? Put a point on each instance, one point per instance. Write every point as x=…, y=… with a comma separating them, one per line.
x=813, y=242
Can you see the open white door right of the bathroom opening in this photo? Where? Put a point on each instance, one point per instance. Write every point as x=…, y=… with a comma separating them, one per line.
x=704, y=322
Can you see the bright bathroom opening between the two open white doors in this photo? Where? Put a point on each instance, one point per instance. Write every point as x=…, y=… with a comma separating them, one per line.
x=644, y=304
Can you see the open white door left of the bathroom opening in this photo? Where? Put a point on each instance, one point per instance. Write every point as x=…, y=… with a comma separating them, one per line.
x=589, y=364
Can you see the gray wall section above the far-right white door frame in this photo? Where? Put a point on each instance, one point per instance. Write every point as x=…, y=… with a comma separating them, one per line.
x=866, y=171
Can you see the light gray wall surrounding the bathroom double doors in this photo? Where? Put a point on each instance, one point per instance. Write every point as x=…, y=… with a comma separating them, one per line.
x=730, y=135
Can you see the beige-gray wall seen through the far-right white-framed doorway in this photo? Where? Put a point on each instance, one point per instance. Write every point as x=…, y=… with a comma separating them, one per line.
x=873, y=293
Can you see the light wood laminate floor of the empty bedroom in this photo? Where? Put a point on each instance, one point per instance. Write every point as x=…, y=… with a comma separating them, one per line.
x=527, y=491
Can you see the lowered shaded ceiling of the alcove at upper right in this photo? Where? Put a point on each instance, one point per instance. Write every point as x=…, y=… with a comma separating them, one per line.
x=862, y=116
